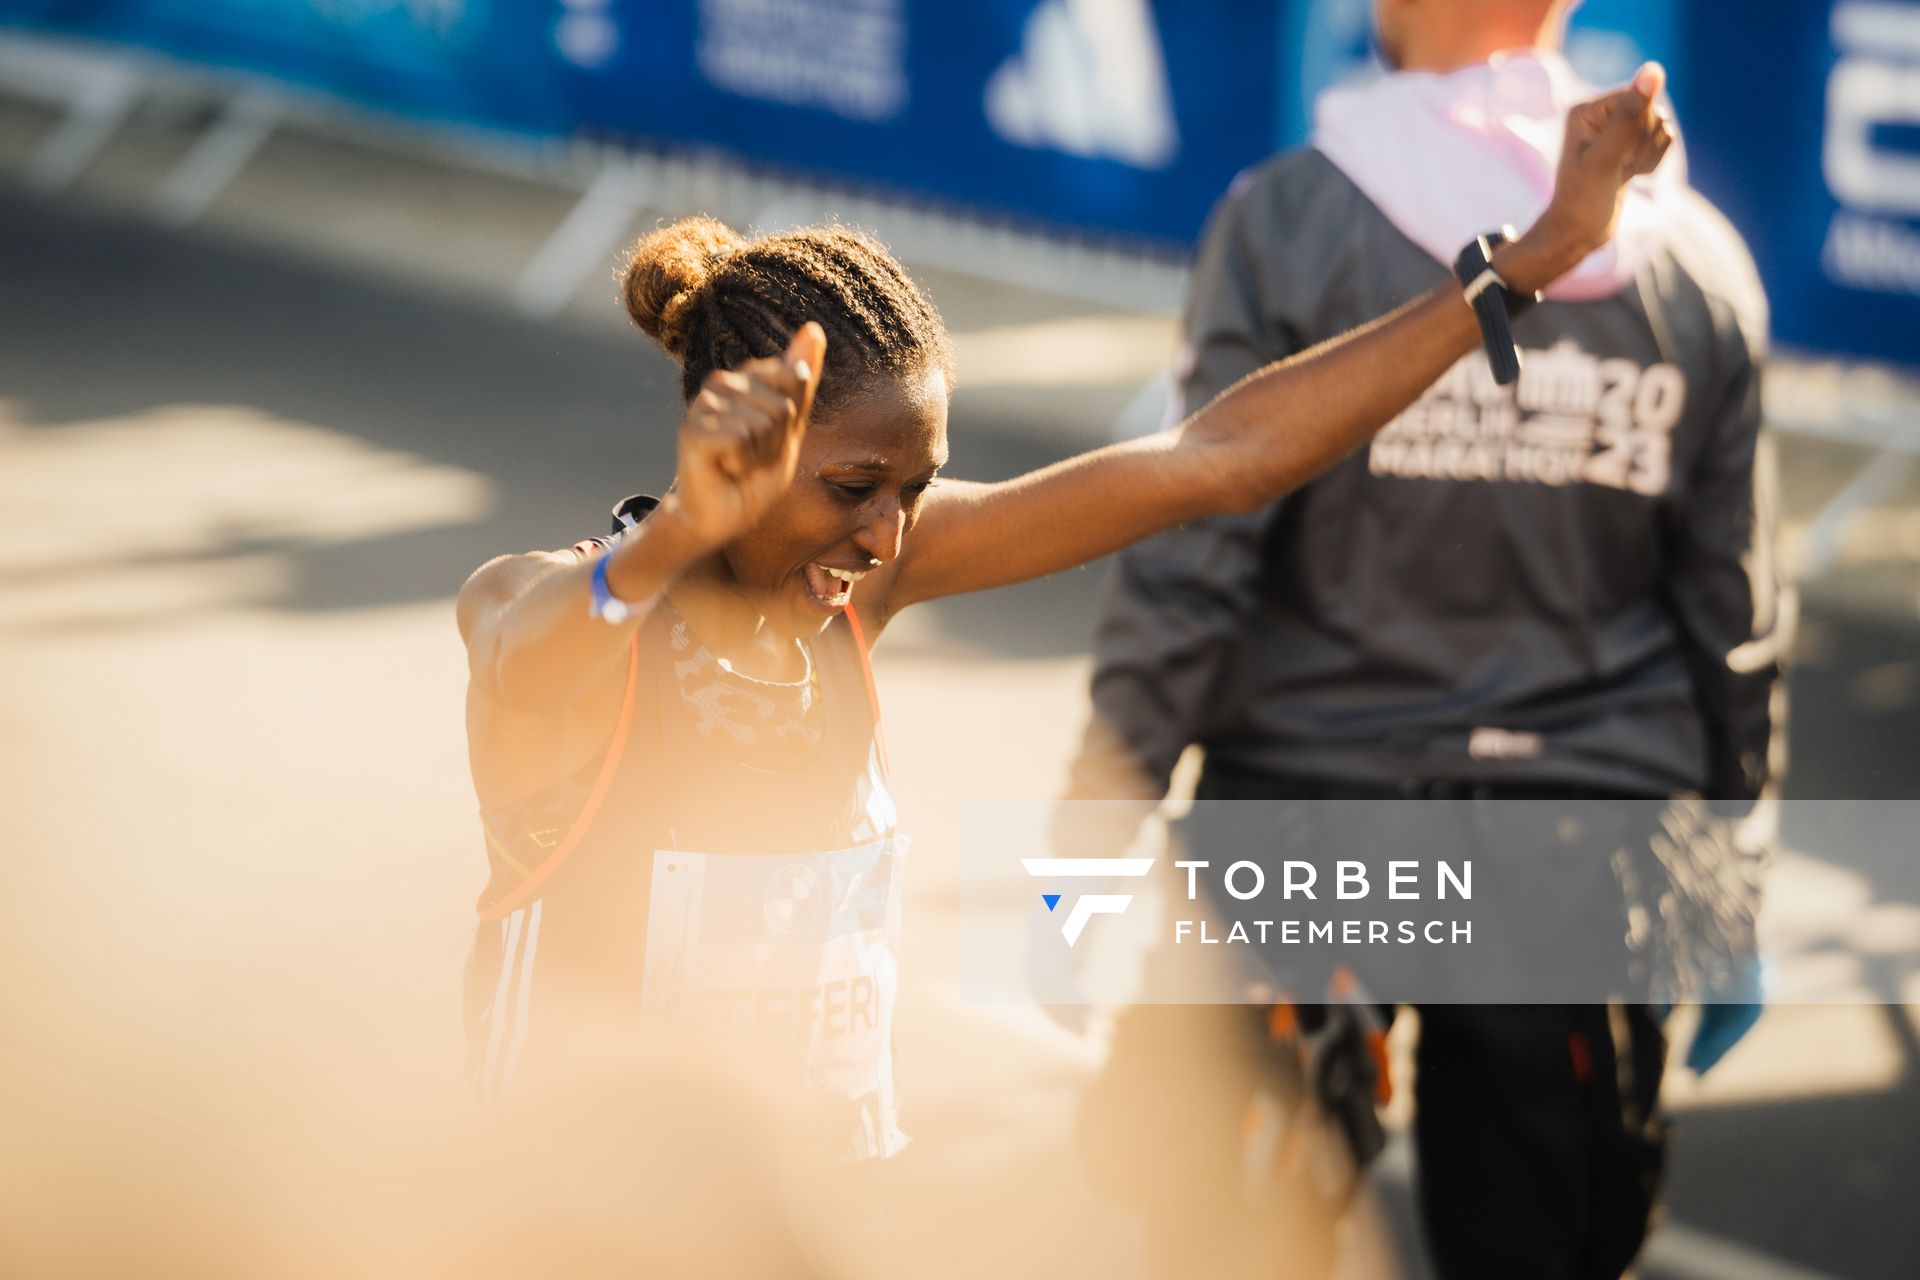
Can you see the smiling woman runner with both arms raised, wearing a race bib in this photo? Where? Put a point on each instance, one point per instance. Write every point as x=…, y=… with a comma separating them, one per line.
x=673, y=730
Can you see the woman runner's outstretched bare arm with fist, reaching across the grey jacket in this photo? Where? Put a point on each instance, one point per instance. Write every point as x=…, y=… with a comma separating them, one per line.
x=1287, y=423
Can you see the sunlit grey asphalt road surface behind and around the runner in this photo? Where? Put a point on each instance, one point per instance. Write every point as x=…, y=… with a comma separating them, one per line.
x=237, y=496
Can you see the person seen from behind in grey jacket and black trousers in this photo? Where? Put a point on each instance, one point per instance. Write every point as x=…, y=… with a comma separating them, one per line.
x=1560, y=588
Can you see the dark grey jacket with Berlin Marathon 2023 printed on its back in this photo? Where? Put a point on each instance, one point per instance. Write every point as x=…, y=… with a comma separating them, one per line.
x=1564, y=582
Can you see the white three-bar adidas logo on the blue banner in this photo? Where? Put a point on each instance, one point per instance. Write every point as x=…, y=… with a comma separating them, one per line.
x=1090, y=80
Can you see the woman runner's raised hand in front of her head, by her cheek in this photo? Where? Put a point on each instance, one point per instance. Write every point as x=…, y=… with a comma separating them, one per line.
x=740, y=440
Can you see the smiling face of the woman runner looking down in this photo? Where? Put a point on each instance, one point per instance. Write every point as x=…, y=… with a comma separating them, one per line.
x=865, y=469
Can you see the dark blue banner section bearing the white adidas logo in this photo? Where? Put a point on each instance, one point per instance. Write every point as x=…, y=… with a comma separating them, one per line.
x=1118, y=116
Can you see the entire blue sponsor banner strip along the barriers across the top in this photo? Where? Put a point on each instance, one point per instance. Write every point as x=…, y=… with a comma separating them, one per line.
x=1124, y=118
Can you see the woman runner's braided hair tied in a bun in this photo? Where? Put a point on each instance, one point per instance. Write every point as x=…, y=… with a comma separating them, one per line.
x=717, y=300
